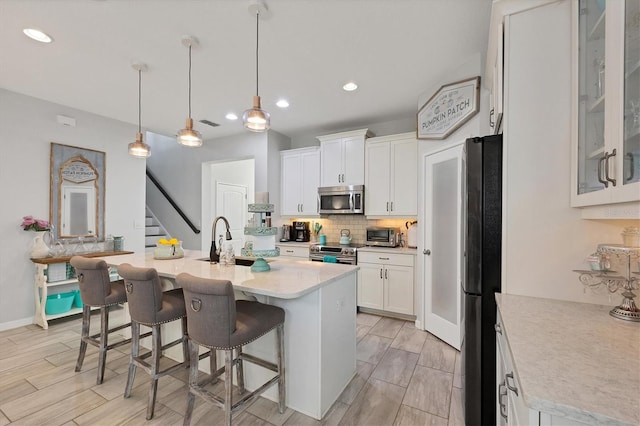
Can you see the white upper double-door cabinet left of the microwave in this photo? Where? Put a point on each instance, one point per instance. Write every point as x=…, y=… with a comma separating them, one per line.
x=300, y=179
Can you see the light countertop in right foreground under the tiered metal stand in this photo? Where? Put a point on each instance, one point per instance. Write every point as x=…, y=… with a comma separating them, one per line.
x=574, y=359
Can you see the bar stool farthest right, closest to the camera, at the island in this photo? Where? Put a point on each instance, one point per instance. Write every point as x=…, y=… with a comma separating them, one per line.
x=218, y=321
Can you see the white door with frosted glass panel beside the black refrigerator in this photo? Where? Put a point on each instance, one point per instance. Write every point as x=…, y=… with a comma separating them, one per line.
x=443, y=243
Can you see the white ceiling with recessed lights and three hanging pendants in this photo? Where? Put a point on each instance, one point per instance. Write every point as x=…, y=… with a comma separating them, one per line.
x=393, y=49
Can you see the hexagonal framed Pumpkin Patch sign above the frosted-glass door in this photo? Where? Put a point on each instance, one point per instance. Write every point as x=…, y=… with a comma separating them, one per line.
x=448, y=109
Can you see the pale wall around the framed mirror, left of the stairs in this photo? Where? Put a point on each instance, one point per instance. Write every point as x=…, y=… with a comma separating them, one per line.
x=27, y=127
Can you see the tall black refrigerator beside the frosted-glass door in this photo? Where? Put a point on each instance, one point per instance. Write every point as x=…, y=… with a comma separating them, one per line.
x=482, y=277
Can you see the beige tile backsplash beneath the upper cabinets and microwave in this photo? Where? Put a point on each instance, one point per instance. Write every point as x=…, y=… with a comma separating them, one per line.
x=357, y=224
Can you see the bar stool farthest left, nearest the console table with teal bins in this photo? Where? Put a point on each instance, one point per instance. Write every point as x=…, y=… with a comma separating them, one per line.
x=97, y=290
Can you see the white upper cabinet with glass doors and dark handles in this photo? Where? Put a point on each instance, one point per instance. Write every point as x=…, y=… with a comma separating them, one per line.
x=606, y=102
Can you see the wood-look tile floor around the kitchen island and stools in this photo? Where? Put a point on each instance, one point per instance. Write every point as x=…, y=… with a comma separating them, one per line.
x=405, y=376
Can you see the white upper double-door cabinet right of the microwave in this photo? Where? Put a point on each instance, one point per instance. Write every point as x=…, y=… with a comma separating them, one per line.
x=391, y=175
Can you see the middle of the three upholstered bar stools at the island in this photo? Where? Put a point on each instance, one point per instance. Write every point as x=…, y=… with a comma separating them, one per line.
x=150, y=306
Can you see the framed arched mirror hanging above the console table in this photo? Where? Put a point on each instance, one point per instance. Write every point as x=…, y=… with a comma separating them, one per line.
x=77, y=188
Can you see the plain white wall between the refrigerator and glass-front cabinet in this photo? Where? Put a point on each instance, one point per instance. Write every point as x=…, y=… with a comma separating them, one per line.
x=544, y=238
